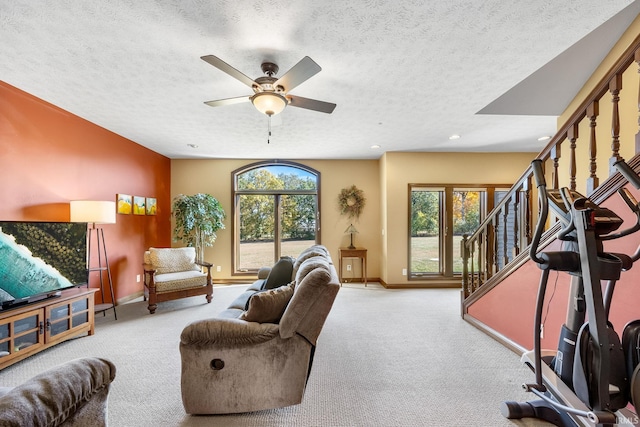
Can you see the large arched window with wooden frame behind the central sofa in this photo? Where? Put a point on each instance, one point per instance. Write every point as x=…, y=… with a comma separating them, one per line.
x=276, y=212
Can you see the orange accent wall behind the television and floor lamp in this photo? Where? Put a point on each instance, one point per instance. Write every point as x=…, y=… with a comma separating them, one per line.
x=49, y=156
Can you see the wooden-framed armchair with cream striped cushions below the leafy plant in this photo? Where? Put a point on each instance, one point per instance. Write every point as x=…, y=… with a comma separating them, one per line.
x=172, y=273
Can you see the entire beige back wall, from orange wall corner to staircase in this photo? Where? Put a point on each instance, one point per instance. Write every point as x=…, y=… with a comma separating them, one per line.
x=384, y=223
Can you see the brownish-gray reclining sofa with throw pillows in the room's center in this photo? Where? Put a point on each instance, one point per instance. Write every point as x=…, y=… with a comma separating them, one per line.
x=258, y=353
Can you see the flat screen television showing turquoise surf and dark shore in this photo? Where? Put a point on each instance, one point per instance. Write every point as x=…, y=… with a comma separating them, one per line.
x=40, y=259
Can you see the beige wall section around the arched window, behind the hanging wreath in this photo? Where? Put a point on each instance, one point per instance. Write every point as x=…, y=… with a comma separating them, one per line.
x=214, y=177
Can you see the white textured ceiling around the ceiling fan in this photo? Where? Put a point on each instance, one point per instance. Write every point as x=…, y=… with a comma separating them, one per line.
x=404, y=74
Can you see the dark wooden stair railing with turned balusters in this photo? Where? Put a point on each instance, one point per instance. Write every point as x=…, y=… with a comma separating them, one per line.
x=499, y=245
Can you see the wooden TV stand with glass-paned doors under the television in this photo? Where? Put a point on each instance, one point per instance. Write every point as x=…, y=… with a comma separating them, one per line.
x=31, y=328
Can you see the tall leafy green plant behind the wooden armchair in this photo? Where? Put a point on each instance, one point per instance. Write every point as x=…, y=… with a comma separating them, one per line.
x=197, y=218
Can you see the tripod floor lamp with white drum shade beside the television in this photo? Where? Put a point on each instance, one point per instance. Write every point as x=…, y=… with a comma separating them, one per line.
x=97, y=212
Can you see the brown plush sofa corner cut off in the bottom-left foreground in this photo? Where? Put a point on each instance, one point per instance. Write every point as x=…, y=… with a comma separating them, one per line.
x=73, y=394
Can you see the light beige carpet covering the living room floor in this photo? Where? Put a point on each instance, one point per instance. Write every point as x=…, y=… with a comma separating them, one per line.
x=400, y=357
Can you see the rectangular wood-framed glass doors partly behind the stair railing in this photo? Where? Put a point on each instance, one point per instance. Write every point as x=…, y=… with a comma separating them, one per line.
x=439, y=217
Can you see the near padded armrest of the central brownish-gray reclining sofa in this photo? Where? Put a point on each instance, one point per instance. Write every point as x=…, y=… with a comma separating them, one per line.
x=227, y=333
